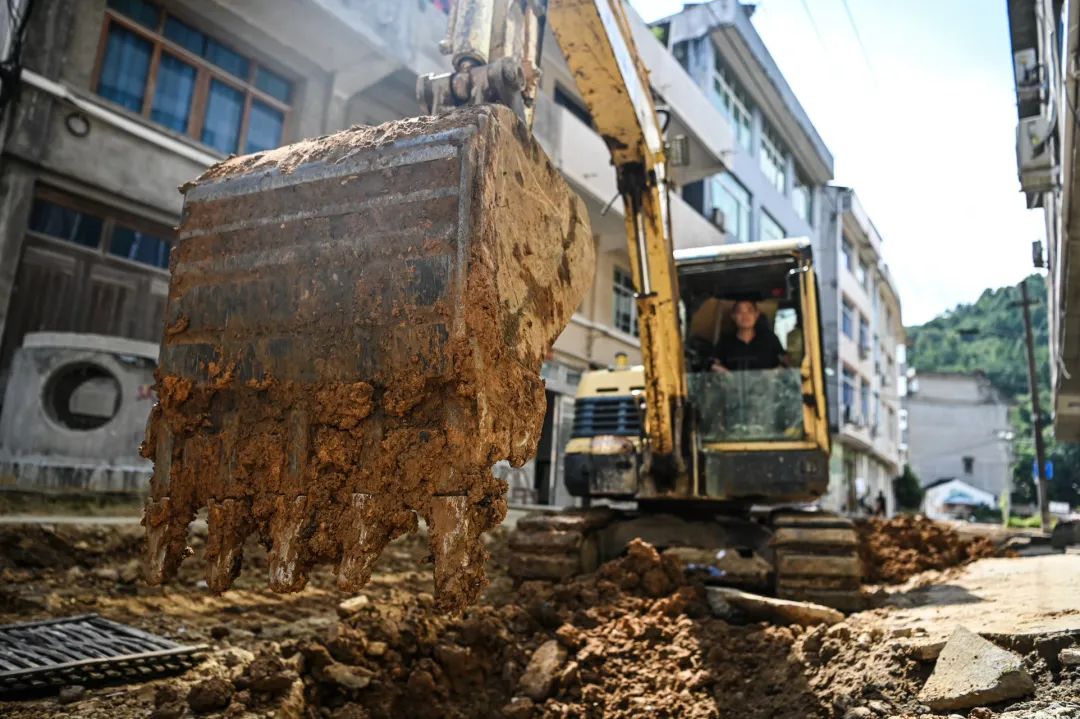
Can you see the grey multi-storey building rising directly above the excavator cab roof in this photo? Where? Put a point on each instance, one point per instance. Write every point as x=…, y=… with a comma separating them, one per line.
x=774, y=181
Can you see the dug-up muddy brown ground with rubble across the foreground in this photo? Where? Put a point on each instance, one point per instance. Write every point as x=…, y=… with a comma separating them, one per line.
x=636, y=640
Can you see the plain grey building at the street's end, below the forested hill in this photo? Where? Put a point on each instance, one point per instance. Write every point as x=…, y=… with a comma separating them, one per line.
x=960, y=430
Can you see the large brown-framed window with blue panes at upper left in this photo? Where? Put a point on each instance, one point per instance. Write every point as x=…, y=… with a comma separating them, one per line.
x=160, y=67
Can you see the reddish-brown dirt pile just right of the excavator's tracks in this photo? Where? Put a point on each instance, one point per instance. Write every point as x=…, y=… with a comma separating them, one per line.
x=896, y=550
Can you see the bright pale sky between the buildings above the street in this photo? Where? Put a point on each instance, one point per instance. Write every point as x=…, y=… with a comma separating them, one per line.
x=921, y=118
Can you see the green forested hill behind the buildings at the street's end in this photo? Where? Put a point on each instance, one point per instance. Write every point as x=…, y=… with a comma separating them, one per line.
x=989, y=336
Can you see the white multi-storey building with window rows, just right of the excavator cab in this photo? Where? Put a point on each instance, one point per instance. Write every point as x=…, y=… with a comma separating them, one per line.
x=865, y=355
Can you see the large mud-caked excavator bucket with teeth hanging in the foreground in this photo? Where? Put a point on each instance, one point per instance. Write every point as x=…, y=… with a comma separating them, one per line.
x=355, y=332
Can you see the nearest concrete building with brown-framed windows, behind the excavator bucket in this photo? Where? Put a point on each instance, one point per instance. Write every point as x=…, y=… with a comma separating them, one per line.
x=124, y=101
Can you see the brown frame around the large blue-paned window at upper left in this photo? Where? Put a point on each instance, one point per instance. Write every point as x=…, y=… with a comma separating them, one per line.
x=206, y=73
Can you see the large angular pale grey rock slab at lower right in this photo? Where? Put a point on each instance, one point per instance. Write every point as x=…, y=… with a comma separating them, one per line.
x=973, y=672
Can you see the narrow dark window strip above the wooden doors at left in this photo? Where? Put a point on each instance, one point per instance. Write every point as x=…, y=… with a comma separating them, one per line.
x=94, y=232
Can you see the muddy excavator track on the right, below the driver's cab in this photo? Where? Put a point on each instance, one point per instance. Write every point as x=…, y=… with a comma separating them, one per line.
x=817, y=560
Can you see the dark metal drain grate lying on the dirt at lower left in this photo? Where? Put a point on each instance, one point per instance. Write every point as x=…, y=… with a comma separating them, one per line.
x=85, y=650
